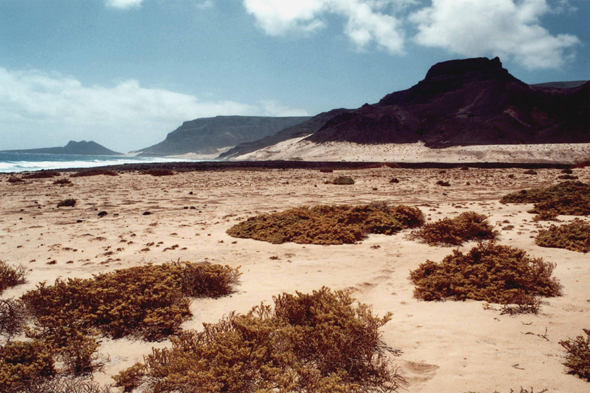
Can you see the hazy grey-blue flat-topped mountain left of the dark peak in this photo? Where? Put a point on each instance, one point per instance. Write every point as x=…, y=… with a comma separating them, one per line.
x=207, y=135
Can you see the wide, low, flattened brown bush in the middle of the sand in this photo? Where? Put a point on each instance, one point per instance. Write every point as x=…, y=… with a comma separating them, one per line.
x=327, y=224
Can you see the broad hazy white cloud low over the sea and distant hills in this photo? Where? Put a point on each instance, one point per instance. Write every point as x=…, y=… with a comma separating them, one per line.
x=38, y=109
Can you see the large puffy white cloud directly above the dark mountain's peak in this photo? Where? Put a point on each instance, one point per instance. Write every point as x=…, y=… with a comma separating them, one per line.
x=506, y=28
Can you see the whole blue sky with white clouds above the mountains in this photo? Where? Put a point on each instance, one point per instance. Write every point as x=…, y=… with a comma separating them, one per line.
x=125, y=73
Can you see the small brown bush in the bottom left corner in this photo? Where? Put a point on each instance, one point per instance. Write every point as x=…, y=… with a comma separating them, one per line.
x=24, y=363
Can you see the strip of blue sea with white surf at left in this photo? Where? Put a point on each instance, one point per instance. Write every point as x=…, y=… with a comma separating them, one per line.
x=26, y=162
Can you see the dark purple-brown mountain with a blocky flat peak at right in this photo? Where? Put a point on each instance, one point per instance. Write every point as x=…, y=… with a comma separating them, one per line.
x=467, y=102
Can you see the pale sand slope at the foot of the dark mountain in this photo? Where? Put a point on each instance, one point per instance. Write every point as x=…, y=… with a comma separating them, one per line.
x=298, y=148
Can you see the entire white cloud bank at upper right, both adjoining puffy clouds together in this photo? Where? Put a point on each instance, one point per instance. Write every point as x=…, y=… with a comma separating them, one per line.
x=510, y=29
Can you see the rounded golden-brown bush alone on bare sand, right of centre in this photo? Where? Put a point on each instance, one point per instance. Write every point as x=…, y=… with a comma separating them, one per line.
x=489, y=272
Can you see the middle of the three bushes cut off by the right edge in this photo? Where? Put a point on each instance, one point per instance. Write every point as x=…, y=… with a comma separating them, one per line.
x=574, y=236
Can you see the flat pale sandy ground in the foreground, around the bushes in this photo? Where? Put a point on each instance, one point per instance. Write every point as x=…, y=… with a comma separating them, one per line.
x=445, y=346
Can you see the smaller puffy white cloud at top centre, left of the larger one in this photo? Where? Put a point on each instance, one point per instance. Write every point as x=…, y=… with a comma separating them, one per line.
x=367, y=21
